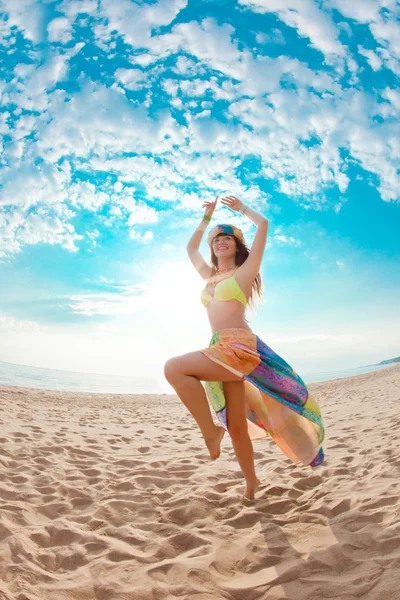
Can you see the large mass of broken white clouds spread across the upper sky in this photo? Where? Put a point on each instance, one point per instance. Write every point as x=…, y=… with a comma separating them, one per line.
x=297, y=134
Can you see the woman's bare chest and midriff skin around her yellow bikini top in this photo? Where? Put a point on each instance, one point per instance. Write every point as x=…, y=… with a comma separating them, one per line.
x=224, y=314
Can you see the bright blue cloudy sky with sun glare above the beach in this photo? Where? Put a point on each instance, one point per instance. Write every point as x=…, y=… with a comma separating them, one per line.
x=119, y=118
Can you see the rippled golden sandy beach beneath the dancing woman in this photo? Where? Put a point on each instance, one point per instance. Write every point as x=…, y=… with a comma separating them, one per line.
x=113, y=497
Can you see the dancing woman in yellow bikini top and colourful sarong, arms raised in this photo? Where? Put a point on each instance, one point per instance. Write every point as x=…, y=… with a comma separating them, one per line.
x=253, y=391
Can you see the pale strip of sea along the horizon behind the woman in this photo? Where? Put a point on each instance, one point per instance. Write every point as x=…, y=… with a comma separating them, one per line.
x=51, y=379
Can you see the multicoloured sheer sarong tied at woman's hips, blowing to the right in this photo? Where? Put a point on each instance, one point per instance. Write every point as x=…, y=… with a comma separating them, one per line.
x=278, y=403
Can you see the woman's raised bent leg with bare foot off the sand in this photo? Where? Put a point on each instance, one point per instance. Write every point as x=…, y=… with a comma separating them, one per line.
x=185, y=374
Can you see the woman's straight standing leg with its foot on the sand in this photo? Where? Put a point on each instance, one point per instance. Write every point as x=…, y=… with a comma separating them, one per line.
x=237, y=426
